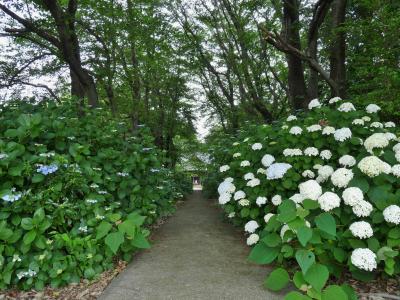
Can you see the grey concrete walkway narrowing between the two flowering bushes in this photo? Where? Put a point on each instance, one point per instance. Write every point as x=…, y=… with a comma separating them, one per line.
x=195, y=255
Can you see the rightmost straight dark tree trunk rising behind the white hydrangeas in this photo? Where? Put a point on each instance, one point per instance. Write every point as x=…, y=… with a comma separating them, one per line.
x=338, y=48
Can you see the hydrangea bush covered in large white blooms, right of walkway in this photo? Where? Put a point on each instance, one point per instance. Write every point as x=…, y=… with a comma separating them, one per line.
x=321, y=189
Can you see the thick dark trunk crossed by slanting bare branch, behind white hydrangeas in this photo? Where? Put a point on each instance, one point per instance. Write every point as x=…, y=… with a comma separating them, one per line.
x=297, y=87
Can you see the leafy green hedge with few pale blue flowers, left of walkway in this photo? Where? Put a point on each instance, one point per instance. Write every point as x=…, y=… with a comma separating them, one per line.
x=74, y=192
